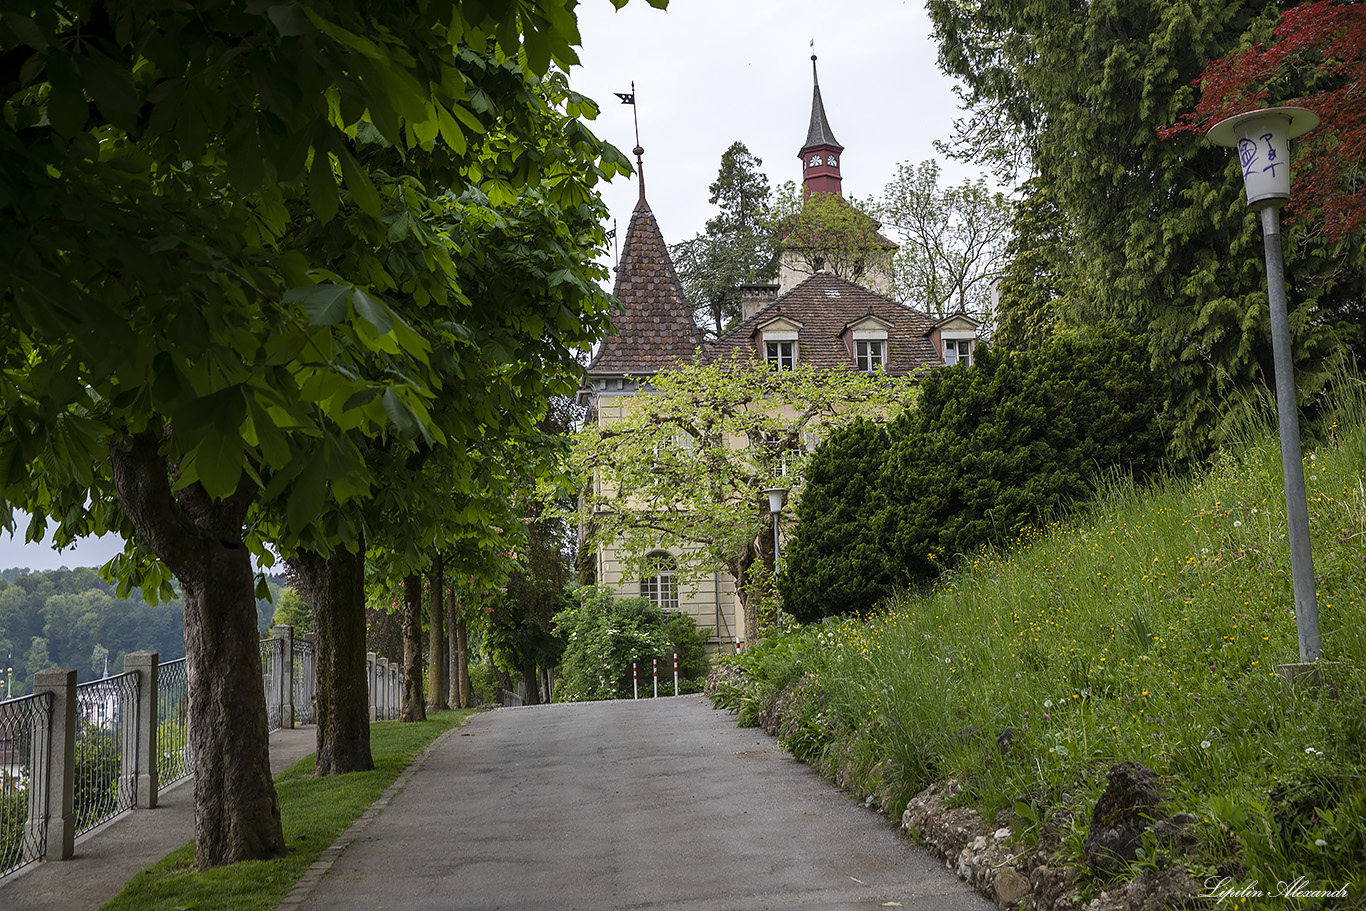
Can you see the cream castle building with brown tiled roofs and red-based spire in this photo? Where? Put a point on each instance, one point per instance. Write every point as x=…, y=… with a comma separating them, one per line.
x=812, y=316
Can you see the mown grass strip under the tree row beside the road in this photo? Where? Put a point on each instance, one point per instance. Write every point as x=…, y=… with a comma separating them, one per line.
x=315, y=812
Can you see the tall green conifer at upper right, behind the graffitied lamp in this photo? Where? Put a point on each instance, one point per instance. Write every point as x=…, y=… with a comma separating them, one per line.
x=1165, y=244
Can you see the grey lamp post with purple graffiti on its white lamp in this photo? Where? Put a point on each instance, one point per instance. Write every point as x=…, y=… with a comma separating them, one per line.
x=1263, y=143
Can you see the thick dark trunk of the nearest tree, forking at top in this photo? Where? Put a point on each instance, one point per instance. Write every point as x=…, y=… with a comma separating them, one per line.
x=237, y=815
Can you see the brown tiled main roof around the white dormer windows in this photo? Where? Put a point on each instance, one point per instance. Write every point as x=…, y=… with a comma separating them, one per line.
x=826, y=305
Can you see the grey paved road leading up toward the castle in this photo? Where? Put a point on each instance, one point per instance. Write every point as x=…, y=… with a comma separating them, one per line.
x=660, y=804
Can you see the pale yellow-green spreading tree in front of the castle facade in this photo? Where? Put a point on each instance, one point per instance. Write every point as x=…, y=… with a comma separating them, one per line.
x=684, y=465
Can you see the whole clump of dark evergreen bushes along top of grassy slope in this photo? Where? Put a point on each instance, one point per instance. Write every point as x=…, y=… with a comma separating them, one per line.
x=988, y=451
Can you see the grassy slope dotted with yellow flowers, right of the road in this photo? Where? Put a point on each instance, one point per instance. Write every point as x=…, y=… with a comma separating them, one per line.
x=1147, y=630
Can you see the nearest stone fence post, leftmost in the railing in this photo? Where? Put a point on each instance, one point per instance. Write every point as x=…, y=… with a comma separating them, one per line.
x=61, y=761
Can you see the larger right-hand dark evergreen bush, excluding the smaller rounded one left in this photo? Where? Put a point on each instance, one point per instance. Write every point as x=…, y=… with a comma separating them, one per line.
x=1001, y=446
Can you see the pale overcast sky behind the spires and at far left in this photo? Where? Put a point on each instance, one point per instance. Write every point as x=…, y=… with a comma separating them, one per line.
x=710, y=73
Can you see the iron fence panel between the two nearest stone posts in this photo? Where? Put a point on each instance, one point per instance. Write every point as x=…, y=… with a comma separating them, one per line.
x=106, y=781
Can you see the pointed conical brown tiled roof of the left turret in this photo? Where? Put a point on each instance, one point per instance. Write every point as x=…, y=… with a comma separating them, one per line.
x=655, y=327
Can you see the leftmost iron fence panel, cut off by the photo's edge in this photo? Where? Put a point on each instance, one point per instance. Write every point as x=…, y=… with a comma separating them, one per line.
x=24, y=771
